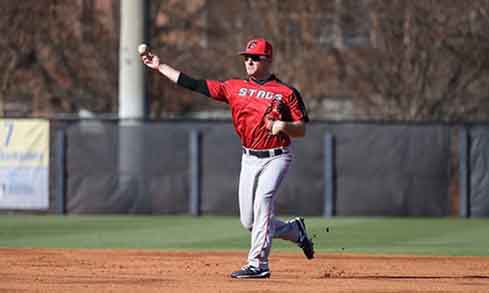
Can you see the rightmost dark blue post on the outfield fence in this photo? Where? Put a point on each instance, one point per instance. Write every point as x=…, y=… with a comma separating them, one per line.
x=464, y=171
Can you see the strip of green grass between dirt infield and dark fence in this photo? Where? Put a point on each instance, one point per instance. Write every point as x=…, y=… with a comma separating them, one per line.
x=421, y=236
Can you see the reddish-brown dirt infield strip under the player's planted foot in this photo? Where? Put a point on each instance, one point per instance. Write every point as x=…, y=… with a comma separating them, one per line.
x=65, y=270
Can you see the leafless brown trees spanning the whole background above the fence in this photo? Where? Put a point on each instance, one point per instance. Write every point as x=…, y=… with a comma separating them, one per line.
x=403, y=60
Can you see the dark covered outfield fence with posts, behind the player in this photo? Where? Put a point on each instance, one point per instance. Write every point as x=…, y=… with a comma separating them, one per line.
x=345, y=169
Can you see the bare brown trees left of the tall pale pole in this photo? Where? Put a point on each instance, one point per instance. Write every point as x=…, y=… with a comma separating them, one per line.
x=51, y=55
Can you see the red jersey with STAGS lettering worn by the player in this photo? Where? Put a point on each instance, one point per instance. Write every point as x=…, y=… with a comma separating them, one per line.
x=249, y=99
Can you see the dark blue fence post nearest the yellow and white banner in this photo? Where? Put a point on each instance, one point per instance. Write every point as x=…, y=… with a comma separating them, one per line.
x=60, y=155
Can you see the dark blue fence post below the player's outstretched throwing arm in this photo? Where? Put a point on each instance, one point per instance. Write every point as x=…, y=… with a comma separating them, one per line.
x=195, y=172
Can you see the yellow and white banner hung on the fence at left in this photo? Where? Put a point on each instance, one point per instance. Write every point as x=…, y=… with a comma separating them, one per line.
x=24, y=163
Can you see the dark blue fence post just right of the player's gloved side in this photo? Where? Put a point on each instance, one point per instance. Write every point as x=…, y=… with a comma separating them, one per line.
x=329, y=200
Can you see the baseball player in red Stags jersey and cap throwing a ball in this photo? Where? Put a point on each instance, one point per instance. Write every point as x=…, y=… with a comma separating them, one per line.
x=266, y=114
